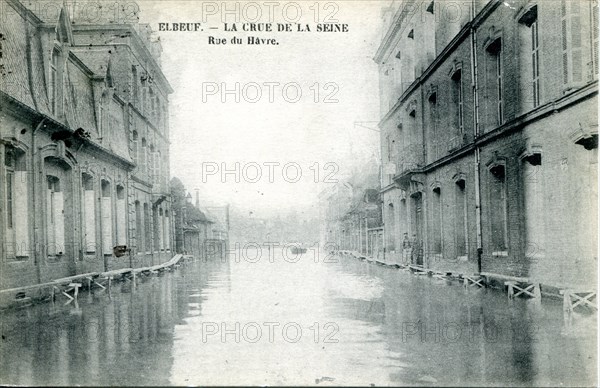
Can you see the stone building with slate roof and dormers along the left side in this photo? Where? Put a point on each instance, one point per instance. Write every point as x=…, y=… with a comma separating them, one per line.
x=84, y=145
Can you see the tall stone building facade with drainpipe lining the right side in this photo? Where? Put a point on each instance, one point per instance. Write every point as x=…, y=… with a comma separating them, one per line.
x=489, y=136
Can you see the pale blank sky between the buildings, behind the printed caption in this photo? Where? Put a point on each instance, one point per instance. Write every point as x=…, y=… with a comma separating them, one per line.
x=286, y=151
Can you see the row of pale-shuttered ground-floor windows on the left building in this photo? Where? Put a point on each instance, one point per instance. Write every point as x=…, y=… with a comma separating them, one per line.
x=103, y=213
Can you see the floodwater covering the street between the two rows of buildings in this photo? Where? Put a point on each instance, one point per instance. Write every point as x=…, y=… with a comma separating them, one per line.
x=308, y=320
